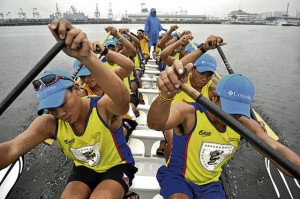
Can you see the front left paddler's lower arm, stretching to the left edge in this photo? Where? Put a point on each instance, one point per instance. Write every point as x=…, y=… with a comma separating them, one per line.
x=41, y=128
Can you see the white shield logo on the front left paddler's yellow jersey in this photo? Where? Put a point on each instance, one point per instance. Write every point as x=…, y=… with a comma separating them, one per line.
x=88, y=154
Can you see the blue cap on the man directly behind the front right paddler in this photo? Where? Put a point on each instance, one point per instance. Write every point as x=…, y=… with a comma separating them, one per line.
x=206, y=63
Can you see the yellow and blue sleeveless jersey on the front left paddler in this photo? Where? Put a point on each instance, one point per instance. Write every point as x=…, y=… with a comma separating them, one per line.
x=99, y=148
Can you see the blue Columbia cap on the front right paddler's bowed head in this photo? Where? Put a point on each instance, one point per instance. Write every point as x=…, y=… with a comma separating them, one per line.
x=236, y=93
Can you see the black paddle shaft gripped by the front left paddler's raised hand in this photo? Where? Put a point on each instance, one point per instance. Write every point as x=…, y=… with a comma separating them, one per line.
x=31, y=75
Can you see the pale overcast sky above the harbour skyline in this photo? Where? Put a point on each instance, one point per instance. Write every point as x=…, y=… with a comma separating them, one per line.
x=218, y=8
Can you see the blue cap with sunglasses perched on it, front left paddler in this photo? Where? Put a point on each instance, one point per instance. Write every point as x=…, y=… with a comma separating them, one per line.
x=52, y=96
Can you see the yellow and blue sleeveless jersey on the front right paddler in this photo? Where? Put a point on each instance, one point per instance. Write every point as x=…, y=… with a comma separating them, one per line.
x=199, y=155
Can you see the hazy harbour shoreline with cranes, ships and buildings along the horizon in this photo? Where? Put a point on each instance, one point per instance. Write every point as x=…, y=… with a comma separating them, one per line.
x=174, y=17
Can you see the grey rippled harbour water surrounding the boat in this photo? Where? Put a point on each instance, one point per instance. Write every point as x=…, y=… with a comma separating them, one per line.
x=268, y=55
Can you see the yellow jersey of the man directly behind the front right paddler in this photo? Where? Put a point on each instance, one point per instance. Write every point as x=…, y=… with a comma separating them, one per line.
x=183, y=97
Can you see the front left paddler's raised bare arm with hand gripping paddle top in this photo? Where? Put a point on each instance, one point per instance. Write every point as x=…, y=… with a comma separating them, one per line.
x=109, y=81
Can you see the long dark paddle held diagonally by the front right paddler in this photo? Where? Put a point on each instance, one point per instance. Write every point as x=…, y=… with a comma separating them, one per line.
x=243, y=131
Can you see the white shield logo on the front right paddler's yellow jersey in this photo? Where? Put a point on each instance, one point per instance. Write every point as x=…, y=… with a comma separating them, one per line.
x=213, y=154
